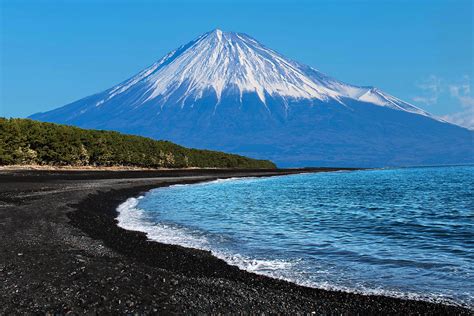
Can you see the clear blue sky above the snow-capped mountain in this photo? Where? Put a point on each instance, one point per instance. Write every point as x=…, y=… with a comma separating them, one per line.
x=55, y=52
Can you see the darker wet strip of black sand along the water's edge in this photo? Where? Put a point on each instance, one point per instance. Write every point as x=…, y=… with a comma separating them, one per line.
x=204, y=264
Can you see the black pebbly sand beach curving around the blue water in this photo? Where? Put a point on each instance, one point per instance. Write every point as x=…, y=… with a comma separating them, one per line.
x=61, y=252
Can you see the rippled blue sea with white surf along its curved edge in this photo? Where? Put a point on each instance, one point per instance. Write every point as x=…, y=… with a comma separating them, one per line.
x=398, y=232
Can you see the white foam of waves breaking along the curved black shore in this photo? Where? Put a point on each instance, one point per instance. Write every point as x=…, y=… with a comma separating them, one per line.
x=131, y=217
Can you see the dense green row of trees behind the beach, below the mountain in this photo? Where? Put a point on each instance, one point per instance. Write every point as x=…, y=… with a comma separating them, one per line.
x=24, y=141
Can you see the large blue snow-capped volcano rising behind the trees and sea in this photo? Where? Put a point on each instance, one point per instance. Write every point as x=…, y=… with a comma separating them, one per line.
x=226, y=91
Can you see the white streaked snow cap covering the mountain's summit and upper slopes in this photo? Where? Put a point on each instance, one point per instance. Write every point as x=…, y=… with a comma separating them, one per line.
x=219, y=61
